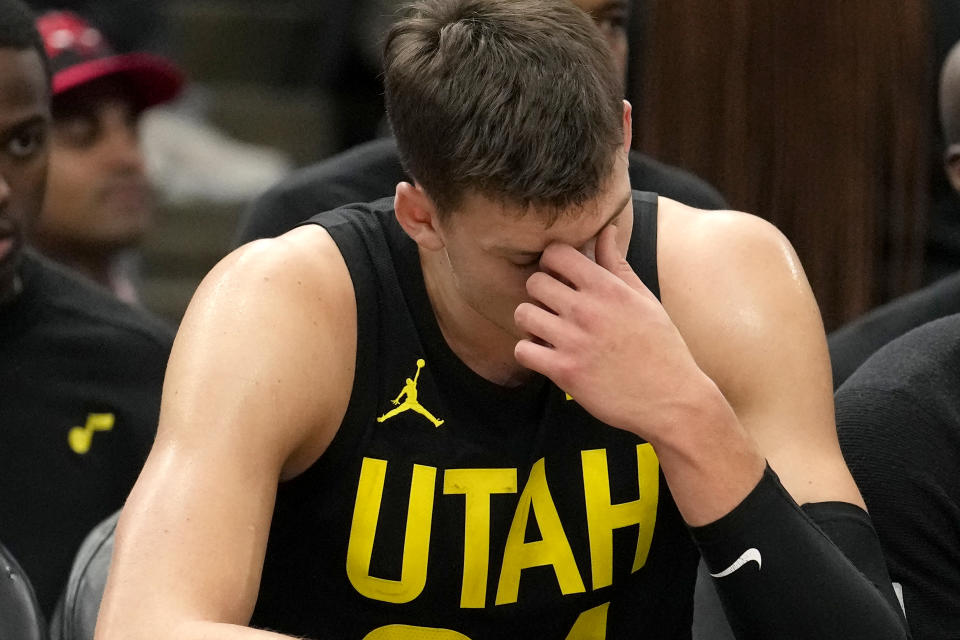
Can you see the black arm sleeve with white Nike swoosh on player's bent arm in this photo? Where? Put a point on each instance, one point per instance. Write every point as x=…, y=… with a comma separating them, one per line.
x=780, y=576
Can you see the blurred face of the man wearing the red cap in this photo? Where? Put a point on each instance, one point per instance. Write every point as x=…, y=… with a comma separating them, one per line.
x=98, y=198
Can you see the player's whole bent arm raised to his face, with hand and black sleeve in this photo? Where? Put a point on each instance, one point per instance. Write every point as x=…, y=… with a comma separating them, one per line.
x=729, y=374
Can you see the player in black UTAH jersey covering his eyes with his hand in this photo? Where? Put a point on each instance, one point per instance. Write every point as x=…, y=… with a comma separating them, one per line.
x=463, y=412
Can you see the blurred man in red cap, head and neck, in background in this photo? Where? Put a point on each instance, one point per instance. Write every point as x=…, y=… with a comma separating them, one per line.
x=98, y=204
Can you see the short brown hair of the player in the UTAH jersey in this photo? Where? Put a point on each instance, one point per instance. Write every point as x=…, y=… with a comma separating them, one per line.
x=517, y=100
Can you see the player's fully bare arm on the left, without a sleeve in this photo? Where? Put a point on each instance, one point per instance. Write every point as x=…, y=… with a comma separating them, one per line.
x=271, y=325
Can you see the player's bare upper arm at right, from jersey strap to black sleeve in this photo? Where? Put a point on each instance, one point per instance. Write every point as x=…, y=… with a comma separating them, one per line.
x=734, y=287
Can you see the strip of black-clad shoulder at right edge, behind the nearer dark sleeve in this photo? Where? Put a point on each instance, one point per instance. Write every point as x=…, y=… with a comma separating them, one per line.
x=852, y=344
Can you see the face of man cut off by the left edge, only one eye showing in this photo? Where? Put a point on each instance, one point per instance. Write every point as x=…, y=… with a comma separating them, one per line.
x=24, y=126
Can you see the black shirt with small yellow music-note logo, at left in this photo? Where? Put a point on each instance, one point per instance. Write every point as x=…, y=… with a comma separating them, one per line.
x=80, y=380
